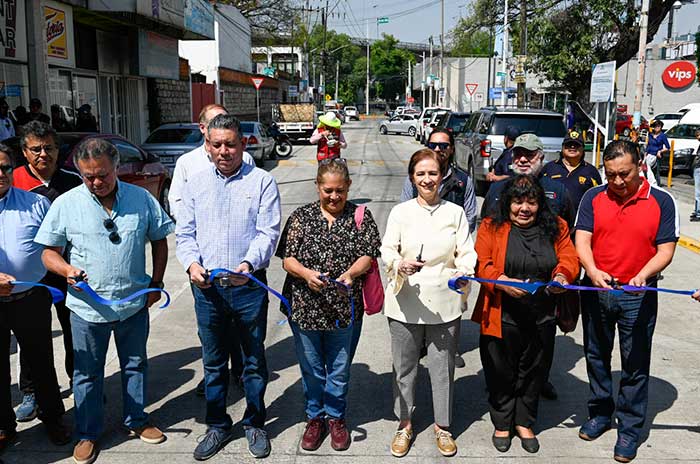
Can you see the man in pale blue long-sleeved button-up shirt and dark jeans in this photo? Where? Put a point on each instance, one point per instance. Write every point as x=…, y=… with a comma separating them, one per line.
x=230, y=218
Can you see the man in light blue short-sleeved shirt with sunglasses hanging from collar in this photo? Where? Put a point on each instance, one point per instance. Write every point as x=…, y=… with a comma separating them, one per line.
x=105, y=225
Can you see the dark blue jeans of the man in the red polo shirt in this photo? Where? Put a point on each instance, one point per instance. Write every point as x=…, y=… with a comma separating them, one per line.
x=635, y=318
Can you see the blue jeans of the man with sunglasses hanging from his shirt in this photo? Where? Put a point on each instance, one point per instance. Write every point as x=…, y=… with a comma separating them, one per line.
x=90, y=343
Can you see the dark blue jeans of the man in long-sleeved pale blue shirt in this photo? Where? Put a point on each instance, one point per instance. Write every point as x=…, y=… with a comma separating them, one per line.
x=216, y=309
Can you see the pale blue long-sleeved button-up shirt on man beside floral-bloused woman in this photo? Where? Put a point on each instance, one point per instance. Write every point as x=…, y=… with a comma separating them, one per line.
x=225, y=221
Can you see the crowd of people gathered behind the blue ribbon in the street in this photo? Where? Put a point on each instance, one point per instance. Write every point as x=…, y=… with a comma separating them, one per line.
x=540, y=223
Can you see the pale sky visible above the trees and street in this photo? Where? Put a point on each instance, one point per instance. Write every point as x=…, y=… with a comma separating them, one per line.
x=413, y=21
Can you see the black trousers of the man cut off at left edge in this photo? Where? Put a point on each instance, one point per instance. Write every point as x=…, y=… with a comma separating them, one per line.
x=30, y=320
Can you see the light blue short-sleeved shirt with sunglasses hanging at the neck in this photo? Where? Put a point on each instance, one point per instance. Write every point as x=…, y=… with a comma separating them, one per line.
x=114, y=270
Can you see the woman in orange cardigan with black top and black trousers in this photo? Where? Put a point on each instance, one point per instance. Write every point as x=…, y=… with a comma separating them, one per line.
x=523, y=240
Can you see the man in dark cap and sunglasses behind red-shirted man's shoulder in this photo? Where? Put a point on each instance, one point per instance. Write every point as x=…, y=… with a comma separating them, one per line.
x=572, y=170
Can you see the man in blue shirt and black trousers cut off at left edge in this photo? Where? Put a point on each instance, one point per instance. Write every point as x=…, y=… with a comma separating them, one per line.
x=26, y=311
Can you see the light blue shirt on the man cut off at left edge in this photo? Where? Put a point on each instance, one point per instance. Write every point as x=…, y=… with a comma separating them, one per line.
x=21, y=214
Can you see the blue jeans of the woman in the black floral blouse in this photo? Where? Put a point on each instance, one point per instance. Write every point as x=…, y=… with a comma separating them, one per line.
x=325, y=359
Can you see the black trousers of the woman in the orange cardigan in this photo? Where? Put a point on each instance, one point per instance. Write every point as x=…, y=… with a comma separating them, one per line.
x=515, y=367
